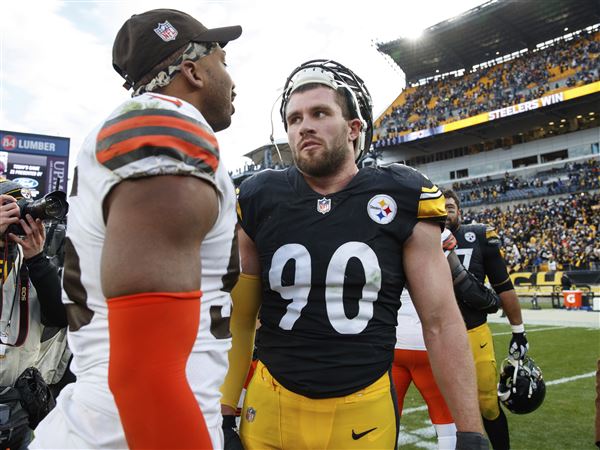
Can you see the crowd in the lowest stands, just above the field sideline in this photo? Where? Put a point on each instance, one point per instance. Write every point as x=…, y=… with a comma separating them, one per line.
x=548, y=234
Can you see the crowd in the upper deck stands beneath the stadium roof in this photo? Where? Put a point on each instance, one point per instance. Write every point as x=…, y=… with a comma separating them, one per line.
x=529, y=76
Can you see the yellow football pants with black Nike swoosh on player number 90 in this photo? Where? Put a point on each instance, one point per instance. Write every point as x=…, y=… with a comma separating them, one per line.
x=275, y=418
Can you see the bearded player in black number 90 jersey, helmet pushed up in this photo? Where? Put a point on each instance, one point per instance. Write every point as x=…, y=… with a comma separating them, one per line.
x=326, y=250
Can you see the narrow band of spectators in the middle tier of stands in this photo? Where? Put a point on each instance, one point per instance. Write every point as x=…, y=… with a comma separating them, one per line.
x=572, y=177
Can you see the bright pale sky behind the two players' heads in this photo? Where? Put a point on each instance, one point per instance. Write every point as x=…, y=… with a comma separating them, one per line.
x=56, y=74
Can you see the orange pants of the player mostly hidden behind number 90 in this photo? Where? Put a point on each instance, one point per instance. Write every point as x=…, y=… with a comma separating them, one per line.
x=413, y=365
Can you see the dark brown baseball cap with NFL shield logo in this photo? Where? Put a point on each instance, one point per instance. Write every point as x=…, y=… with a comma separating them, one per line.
x=146, y=39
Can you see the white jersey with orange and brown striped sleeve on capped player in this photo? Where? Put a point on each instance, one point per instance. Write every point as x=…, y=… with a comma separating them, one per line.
x=149, y=135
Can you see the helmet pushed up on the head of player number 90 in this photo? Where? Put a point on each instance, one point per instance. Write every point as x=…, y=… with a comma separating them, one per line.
x=337, y=77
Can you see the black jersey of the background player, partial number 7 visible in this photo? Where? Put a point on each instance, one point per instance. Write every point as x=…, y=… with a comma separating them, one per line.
x=478, y=248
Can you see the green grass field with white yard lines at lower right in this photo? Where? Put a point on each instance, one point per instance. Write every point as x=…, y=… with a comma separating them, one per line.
x=568, y=359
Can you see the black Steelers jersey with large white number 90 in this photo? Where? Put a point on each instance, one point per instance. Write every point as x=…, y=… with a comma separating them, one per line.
x=332, y=272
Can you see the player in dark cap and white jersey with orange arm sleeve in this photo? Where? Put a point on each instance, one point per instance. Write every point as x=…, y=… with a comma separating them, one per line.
x=150, y=250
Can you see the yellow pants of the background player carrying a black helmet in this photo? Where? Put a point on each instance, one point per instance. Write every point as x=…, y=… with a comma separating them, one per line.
x=482, y=346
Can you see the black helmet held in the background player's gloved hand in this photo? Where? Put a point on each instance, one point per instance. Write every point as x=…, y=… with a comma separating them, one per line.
x=521, y=388
